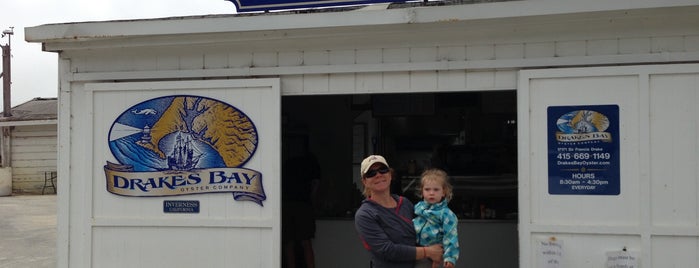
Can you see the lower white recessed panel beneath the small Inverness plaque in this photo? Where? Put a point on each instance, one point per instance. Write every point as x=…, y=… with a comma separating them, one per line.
x=182, y=247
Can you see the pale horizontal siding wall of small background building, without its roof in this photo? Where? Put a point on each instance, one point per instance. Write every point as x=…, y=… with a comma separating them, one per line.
x=33, y=153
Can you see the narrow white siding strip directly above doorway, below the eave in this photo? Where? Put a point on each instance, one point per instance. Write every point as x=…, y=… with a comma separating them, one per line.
x=387, y=70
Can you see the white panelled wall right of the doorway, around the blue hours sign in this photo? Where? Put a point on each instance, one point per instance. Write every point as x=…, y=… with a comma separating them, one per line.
x=656, y=214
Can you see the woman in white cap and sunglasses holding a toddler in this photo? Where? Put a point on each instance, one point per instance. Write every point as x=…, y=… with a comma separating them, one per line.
x=384, y=220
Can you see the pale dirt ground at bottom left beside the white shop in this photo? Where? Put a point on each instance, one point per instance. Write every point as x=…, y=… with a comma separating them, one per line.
x=28, y=231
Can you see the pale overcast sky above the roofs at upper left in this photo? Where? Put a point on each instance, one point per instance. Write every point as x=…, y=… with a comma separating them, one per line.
x=35, y=73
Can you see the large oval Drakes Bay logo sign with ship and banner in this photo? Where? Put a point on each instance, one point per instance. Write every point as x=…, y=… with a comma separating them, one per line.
x=180, y=145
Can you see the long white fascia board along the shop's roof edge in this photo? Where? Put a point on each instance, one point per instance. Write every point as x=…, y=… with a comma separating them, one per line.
x=91, y=31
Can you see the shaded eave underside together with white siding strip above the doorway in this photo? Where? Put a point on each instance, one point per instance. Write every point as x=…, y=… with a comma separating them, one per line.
x=446, y=56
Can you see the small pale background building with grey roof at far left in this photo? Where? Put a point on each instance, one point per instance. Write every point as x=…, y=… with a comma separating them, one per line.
x=30, y=145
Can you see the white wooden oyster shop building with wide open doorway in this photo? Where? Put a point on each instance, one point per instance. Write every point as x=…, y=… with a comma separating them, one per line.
x=641, y=57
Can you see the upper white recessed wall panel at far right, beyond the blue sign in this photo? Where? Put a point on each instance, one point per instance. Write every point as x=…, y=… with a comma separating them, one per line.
x=674, y=151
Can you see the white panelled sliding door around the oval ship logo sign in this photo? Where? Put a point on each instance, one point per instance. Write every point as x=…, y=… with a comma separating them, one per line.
x=109, y=230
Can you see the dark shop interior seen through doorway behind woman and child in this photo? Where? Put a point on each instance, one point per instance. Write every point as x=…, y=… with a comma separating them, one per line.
x=471, y=135
